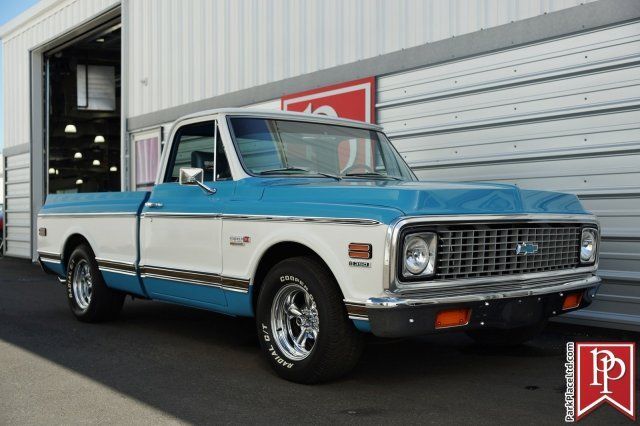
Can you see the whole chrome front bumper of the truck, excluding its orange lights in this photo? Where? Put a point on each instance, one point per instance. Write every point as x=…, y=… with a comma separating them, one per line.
x=504, y=306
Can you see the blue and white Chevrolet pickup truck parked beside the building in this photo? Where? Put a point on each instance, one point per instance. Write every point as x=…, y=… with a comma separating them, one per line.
x=317, y=228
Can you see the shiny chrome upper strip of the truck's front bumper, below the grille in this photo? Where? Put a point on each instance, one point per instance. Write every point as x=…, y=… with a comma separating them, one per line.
x=525, y=290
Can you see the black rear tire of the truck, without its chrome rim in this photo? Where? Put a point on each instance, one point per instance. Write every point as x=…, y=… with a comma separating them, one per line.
x=104, y=303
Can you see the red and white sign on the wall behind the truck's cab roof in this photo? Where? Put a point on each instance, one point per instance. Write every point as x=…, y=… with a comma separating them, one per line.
x=353, y=100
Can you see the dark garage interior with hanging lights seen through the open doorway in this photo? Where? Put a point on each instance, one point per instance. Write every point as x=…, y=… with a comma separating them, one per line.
x=82, y=109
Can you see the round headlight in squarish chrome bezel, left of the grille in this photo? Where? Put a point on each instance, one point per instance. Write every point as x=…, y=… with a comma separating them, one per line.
x=419, y=255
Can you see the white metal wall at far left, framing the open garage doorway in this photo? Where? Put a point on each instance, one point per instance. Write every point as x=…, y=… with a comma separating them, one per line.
x=17, y=108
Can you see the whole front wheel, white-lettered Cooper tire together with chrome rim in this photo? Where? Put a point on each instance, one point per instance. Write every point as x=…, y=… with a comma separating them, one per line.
x=303, y=327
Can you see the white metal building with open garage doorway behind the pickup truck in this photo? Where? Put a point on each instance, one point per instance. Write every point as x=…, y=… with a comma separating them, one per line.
x=541, y=93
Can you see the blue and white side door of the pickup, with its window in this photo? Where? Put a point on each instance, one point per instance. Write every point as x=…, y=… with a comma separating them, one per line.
x=180, y=226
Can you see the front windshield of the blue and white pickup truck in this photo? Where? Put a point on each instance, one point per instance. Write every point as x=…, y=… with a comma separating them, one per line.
x=275, y=147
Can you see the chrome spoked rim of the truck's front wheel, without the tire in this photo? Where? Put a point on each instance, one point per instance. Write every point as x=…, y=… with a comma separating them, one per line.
x=294, y=321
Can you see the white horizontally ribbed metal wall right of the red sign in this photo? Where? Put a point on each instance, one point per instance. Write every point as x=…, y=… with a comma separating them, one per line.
x=561, y=115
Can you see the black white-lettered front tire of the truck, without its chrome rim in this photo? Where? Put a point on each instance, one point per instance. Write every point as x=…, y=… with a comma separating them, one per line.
x=338, y=345
